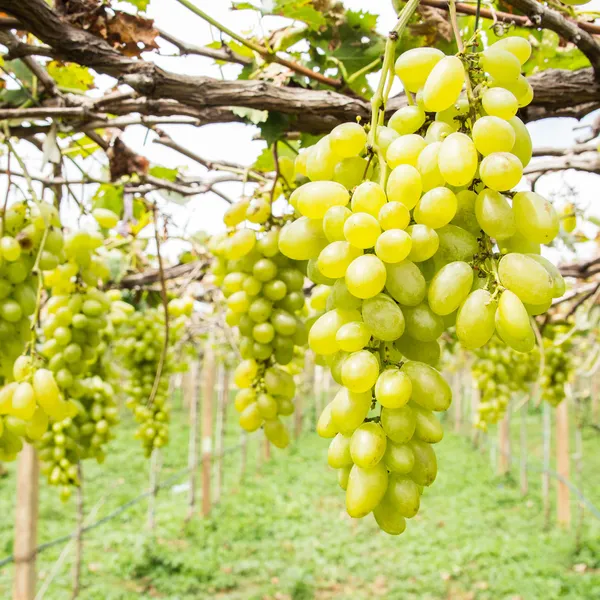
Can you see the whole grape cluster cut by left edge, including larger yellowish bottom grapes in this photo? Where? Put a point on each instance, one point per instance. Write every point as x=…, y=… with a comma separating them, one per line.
x=29, y=232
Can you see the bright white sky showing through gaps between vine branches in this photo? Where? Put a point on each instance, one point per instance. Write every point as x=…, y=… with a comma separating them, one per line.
x=235, y=142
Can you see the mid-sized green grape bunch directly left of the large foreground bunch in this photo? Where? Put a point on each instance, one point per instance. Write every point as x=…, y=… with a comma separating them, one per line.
x=265, y=298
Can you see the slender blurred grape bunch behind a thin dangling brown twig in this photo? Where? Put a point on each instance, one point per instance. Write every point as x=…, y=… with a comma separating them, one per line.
x=140, y=342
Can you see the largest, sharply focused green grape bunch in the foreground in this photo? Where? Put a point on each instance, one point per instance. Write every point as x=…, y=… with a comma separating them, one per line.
x=414, y=227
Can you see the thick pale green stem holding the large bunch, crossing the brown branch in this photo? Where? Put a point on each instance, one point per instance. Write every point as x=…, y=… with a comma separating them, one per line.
x=387, y=76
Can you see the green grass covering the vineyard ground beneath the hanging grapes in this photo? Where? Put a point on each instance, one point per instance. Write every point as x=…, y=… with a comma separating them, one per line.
x=284, y=533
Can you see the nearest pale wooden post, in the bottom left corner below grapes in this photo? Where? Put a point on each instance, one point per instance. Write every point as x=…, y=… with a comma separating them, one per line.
x=26, y=524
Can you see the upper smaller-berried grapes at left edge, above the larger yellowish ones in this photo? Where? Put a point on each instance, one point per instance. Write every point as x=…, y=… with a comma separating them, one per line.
x=23, y=230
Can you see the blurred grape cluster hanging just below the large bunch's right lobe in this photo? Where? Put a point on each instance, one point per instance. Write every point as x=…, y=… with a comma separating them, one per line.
x=500, y=372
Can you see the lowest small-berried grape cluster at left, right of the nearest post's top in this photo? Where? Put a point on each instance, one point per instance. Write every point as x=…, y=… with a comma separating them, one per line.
x=81, y=436
